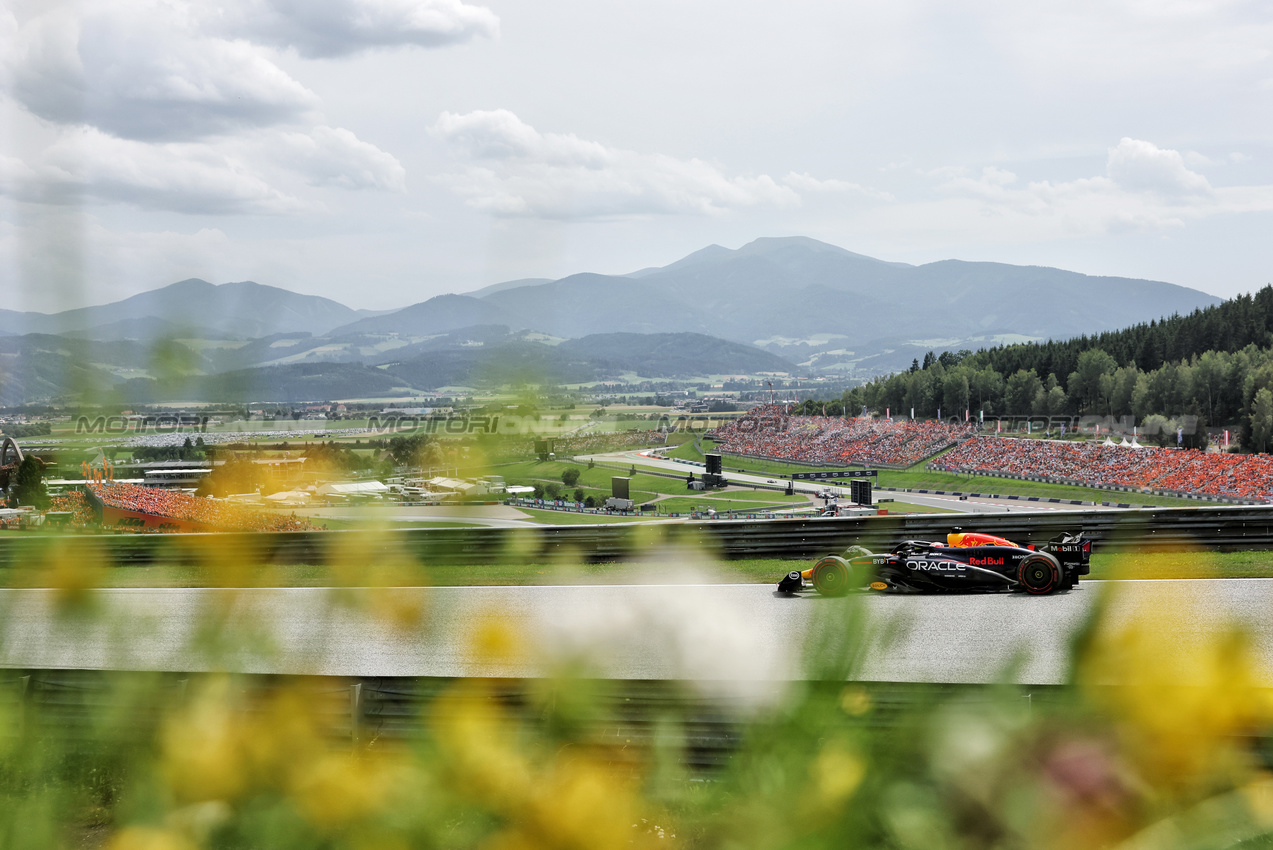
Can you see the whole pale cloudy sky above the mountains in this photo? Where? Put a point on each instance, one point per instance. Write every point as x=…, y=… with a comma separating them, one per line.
x=383, y=152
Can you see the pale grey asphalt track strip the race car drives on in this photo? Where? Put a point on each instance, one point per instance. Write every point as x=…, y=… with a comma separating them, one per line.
x=728, y=634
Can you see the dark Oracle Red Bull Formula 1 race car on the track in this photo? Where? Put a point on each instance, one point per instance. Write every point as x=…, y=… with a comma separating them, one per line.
x=964, y=563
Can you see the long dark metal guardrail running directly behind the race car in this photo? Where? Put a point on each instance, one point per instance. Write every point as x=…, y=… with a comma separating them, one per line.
x=1163, y=529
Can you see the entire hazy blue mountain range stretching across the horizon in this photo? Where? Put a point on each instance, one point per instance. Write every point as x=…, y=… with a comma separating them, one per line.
x=777, y=305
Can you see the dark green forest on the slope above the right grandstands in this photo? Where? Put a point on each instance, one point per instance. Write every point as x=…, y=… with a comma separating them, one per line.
x=1215, y=365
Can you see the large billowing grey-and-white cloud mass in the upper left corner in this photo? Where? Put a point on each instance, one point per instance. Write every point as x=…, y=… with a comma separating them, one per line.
x=150, y=105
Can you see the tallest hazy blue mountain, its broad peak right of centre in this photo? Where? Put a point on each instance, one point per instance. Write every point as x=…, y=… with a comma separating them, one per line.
x=799, y=287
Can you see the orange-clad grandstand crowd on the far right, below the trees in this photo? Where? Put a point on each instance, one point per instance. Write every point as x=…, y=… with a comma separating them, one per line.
x=1237, y=477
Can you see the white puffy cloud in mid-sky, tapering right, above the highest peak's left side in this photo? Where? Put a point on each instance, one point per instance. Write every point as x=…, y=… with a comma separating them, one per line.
x=515, y=170
